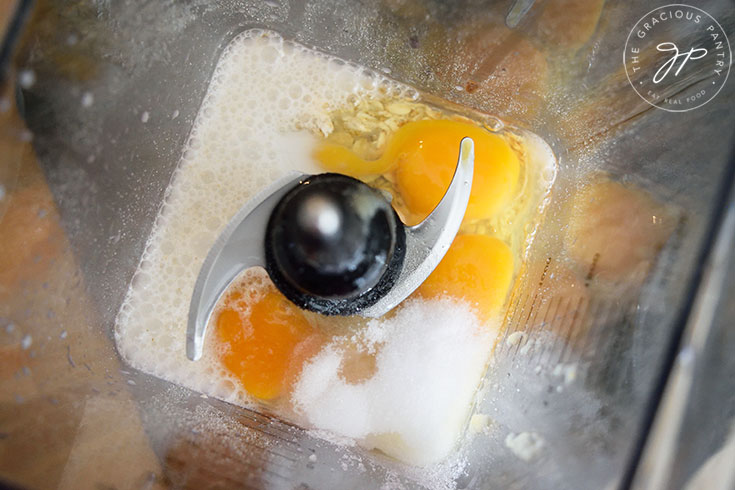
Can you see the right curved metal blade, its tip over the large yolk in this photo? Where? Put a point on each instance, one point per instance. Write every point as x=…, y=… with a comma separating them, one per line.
x=427, y=242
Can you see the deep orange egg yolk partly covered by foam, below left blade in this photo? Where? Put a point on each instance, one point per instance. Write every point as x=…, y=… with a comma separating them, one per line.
x=264, y=347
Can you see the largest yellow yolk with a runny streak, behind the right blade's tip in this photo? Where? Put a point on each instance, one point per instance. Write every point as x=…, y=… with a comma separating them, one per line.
x=424, y=155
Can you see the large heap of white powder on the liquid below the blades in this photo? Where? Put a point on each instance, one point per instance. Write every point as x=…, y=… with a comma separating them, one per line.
x=414, y=407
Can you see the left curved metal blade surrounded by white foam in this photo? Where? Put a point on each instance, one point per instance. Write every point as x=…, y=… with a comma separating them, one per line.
x=240, y=246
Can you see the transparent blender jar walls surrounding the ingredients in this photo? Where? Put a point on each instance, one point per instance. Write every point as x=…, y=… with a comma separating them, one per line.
x=97, y=103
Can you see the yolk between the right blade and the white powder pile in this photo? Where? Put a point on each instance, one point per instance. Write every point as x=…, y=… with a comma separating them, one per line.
x=477, y=269
